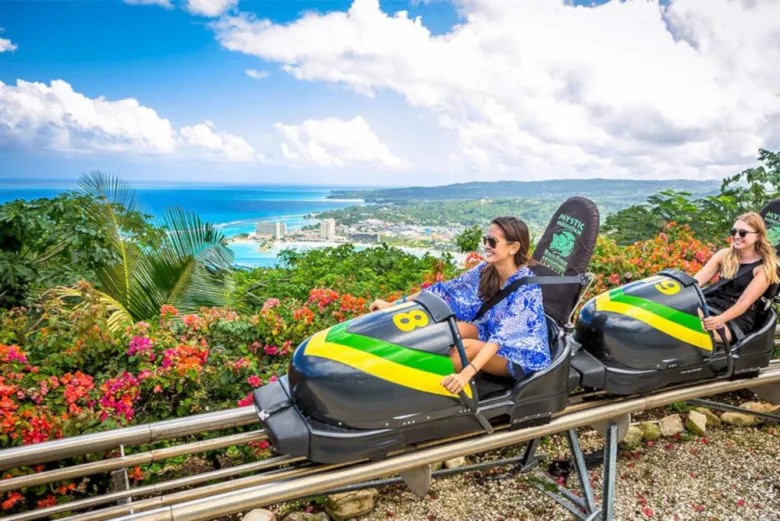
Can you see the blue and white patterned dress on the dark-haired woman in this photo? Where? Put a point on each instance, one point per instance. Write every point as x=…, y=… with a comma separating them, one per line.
x=517, y=324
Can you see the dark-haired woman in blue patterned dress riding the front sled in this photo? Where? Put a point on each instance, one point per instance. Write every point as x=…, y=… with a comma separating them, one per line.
x=511, y=338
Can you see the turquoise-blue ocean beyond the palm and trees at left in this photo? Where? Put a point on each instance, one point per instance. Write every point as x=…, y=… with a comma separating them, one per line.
x=233, y=209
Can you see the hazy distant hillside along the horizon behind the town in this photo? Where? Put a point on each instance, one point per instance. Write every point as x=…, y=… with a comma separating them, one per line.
x=634, y=190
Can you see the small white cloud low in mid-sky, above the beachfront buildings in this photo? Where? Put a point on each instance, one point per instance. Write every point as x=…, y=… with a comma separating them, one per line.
x=334, y=142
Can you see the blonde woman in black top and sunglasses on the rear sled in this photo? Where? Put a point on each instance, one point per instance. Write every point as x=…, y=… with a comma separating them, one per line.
x=750, y=248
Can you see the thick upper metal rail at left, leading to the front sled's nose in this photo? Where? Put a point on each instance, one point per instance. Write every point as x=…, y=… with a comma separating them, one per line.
x=138, y=435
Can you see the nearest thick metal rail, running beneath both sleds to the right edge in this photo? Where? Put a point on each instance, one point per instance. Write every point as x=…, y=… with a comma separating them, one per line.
x=199, y=507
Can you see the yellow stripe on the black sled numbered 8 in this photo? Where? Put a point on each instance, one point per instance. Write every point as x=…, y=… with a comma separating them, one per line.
x=376, y=366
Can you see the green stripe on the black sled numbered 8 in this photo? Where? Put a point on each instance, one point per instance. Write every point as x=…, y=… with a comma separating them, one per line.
x=429, y=362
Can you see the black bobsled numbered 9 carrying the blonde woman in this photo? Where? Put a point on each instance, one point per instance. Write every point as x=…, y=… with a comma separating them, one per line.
x=647, y=335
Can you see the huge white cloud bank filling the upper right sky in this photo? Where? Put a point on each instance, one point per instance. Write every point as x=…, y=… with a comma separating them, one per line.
x=540, y=88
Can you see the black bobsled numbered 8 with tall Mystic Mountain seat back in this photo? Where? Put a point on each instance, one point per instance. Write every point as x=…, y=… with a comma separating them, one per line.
x=372, y=385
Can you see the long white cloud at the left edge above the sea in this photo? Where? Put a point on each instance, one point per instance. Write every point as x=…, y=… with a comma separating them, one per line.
x=57, y=118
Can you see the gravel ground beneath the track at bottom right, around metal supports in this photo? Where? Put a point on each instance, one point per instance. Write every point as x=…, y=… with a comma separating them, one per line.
x=731, y=474
